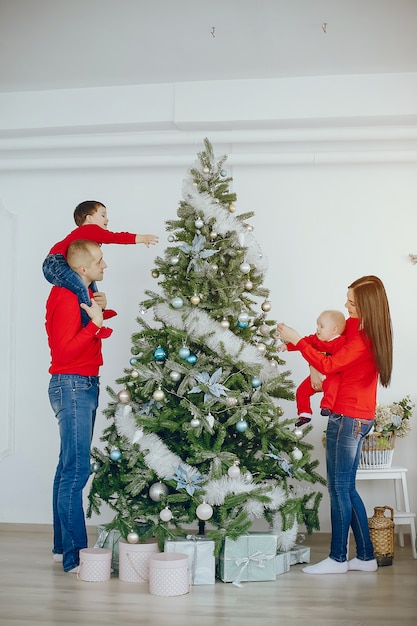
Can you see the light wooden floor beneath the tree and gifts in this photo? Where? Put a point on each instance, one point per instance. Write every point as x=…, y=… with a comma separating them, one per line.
x=35, y=591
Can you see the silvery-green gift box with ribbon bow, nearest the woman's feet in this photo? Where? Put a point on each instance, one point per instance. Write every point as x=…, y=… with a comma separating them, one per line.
x=251, y=557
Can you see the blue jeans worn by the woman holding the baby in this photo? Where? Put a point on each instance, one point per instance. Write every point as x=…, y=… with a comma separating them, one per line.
x=344, y=439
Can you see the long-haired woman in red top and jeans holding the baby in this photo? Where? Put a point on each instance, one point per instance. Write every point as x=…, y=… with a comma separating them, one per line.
x=365, y=359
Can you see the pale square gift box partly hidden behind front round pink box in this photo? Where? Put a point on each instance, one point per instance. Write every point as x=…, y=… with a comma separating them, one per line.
x=200, y=552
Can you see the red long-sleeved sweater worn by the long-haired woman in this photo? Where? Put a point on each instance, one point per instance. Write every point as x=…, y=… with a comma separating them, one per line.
x=356, y=396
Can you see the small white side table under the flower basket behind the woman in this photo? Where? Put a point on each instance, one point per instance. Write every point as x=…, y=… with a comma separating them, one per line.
x=402, y=513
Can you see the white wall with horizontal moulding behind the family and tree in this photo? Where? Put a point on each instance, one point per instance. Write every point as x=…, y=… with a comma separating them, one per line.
x=334, y=199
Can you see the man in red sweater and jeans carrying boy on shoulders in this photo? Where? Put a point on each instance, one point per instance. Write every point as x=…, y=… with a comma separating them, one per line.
x=73, y=393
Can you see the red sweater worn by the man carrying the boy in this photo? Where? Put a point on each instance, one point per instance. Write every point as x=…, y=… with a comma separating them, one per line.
x=74, y=349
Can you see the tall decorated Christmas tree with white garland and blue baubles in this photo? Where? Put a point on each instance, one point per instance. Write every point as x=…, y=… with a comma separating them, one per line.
x=196, y=435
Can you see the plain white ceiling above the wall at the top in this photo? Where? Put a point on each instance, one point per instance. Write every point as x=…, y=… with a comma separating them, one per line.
x=58, y=44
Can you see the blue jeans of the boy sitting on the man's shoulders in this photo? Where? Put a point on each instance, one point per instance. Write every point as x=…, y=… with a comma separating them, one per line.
x=57, y=271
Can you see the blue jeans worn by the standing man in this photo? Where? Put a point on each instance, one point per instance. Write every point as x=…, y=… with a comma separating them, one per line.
x=74, y=400
